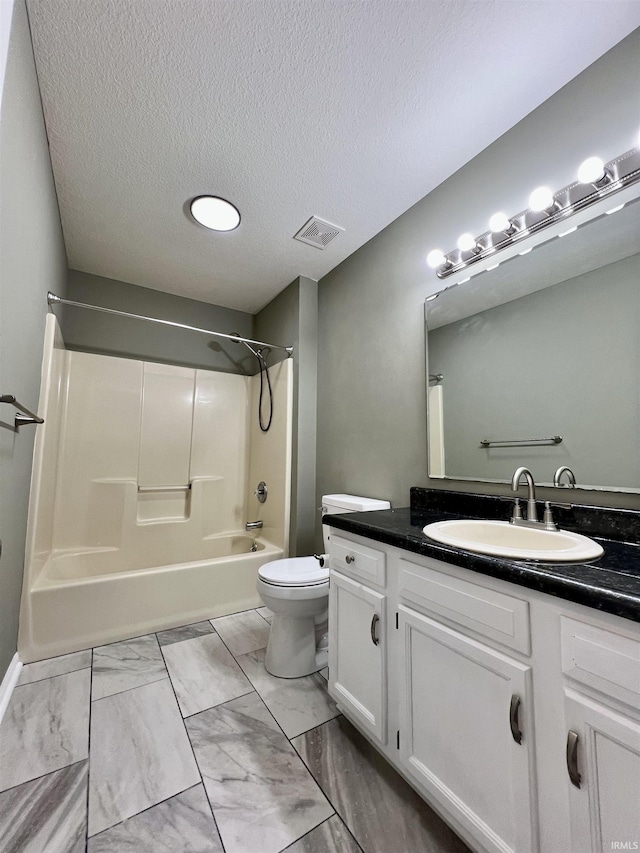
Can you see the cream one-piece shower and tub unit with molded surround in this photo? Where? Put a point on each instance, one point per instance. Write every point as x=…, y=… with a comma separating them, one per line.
x=143, y=482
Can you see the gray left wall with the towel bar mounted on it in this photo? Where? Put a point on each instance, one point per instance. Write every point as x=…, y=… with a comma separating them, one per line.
x=32, y=261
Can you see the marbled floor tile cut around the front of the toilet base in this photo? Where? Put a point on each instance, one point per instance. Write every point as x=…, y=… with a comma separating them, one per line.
x=298, y=704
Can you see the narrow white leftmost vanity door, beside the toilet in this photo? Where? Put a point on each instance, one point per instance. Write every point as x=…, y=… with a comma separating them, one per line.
x=357, y=652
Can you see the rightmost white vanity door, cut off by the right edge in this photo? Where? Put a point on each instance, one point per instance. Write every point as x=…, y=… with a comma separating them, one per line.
x=605, y=809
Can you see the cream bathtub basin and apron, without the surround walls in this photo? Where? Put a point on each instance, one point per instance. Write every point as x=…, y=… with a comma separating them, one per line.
x=88, y=598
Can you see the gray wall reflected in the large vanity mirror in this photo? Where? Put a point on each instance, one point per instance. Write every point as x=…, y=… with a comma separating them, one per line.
x=555, y=362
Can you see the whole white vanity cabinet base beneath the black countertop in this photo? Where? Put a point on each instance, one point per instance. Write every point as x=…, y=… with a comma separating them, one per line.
x=490, y=699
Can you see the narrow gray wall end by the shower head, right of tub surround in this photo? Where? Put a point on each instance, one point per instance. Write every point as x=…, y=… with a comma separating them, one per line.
x=292, y=318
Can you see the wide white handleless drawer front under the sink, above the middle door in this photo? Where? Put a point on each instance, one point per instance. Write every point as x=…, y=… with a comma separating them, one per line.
x=491, y=614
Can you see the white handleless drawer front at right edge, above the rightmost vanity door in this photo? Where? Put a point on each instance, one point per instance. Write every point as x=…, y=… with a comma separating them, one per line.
x=601, y=659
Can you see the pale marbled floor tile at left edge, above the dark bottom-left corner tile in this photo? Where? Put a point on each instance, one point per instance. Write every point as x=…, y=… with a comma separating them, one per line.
x=46, y=727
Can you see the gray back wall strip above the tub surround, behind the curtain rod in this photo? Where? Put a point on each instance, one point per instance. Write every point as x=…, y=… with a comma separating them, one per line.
x=92, y=331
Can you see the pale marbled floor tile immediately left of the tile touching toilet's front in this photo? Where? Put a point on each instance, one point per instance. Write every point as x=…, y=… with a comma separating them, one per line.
x=204, y=673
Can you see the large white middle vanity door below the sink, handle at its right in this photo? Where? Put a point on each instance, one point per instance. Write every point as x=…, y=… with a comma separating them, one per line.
x=464, y=706
